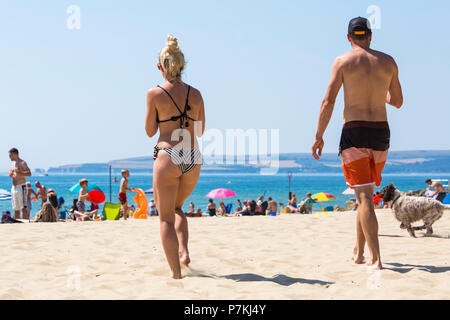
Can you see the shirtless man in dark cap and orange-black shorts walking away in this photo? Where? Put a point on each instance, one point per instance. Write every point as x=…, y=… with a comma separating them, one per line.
x=370, y=80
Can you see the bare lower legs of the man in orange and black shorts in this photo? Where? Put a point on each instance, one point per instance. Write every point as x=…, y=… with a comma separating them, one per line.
x=367, y=226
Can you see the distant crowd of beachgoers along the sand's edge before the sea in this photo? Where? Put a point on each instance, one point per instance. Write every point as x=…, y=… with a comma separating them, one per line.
x=53, y=208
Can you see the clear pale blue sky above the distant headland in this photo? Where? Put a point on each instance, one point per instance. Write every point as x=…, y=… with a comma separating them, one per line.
x=75, y=96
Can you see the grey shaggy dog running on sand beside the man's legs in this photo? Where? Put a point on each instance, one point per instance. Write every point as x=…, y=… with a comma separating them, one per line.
x=411, y=209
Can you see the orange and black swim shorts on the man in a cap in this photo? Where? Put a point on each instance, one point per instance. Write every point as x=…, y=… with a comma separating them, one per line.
x=363, y=149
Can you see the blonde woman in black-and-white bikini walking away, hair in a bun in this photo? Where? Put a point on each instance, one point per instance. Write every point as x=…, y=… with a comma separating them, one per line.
x=176, y=109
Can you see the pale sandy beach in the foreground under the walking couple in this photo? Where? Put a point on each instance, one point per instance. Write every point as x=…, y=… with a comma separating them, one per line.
x=284, y=257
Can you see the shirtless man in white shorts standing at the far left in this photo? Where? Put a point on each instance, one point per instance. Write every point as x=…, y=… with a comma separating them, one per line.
x=18, y=174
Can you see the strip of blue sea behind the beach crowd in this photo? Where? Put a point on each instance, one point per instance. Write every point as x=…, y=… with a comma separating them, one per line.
x=247, y=187
